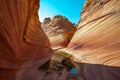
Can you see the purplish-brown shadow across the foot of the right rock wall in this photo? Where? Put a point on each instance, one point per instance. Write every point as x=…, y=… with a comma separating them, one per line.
x=96, y=72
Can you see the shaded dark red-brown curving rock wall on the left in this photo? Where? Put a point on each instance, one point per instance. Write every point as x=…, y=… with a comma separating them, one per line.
x=22, y=41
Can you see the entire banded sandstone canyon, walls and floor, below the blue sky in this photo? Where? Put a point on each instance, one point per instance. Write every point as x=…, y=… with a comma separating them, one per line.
x=26, y=44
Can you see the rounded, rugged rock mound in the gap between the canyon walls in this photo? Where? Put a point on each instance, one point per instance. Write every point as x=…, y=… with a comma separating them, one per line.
x=59, y=31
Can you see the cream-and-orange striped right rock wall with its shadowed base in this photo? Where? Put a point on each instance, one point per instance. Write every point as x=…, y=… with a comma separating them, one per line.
x=96, y=43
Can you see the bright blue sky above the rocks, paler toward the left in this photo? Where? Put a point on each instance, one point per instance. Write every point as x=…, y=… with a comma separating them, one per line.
x=68, y=8
